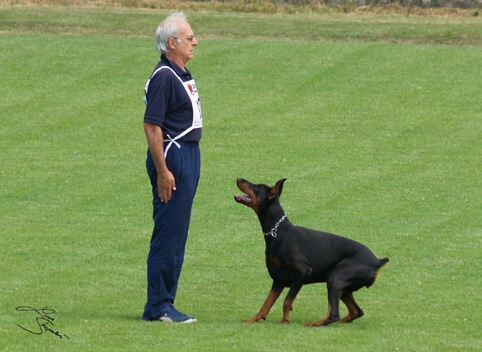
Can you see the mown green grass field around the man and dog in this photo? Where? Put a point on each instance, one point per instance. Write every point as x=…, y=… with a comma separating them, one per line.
x=377, y=127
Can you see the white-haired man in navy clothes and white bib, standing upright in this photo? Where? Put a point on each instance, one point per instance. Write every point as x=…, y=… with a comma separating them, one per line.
x=173, y=127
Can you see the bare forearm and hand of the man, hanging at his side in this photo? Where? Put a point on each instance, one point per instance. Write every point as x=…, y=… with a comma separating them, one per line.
x=165, y=179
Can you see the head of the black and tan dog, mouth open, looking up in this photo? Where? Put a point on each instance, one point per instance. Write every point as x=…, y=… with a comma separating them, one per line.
x=258, y=197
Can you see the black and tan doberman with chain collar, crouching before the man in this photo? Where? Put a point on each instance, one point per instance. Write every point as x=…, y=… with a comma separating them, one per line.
x=296, y=256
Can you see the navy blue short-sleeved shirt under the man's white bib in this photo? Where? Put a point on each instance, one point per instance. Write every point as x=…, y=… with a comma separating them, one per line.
x=168, y=104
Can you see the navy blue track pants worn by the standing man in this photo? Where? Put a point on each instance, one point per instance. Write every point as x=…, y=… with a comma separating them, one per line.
x=171, y=225
